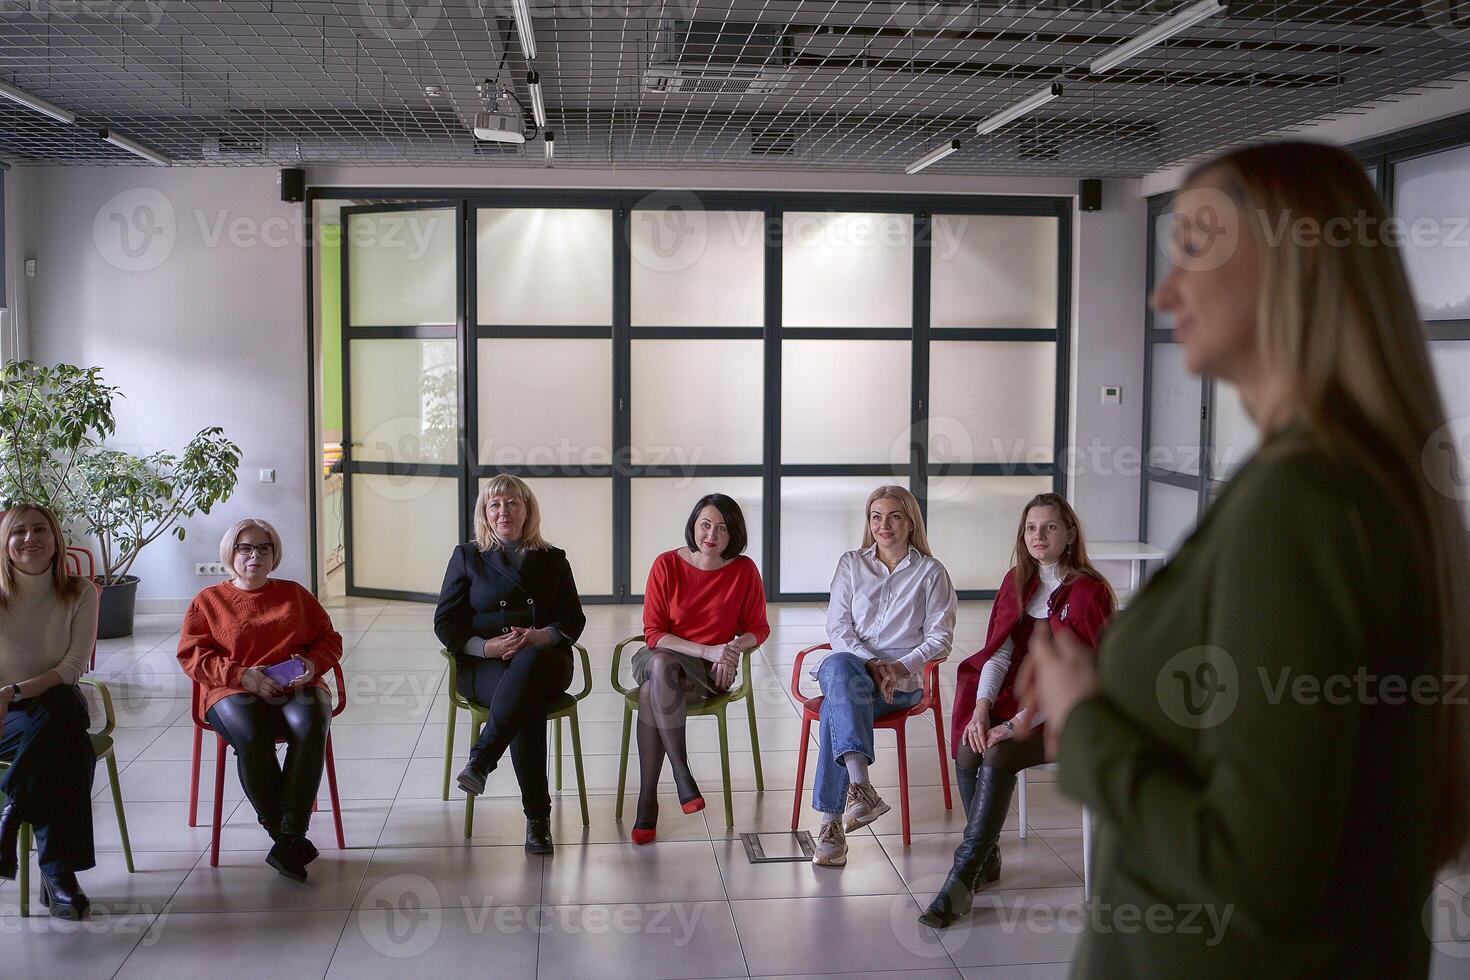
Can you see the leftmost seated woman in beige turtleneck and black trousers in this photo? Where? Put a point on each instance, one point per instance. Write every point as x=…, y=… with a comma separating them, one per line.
x=48, y=631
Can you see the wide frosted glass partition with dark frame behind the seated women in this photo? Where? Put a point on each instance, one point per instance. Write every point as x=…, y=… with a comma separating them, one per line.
x=628, y=353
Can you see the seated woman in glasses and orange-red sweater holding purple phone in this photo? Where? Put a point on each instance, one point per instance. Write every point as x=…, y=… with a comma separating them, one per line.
x=232, y=633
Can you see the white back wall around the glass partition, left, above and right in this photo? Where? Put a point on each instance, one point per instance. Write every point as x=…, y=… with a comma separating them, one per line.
x=217, y=334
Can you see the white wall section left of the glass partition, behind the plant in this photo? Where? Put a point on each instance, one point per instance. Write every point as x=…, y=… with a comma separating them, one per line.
x=199, y=320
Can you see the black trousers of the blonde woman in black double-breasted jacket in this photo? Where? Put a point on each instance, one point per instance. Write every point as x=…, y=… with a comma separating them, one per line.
x=518, y=694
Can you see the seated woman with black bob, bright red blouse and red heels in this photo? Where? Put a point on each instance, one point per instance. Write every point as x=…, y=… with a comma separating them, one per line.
x=703, y=608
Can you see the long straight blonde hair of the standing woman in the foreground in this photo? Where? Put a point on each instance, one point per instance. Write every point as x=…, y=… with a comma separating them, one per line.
x=1344, y=346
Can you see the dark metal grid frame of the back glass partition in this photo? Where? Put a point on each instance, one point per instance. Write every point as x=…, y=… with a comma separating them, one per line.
x=772, y=334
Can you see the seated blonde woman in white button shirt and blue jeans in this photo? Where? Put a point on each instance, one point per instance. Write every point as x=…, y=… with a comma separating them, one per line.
x=892, y=613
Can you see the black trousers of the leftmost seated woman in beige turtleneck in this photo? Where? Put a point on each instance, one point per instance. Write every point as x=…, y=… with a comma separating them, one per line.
x=51, y=777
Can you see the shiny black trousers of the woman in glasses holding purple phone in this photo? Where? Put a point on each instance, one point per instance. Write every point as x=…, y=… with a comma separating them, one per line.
x=282, y=796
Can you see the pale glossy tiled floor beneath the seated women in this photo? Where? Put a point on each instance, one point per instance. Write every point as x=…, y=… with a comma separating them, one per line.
x=411, y=896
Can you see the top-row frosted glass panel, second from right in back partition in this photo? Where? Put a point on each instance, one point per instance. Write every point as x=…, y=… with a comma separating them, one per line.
x=847, y=270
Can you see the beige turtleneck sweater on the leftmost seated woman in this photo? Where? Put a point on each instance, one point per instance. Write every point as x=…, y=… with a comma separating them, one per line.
x=40, y=631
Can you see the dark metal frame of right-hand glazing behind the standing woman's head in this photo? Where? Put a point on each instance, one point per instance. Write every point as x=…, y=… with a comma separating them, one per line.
x=1384, y=155
